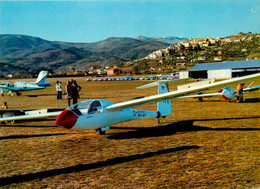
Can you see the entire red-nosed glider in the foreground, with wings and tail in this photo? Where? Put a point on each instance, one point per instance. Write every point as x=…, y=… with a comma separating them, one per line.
x=100, y=114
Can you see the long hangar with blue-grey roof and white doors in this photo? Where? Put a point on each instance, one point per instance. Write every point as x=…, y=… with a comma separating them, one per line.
x=220, y=70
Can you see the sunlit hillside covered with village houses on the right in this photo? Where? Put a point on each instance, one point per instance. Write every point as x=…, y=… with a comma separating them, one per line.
x=186, y=54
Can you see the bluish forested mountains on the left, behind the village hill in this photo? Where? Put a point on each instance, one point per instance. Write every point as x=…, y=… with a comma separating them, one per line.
x=21, y=54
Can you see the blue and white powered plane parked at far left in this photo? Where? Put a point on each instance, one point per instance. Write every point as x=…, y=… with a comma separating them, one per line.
x=21, y=86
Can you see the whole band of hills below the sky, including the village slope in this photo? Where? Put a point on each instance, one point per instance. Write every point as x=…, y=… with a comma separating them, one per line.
x=21, y=54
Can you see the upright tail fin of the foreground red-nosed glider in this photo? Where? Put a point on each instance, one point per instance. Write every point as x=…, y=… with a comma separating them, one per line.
x=164, y=107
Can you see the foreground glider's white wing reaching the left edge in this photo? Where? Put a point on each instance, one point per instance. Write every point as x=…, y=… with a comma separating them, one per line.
x=34, y=116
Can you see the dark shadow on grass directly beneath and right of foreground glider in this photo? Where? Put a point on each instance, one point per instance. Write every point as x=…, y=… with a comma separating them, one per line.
x=172, y=128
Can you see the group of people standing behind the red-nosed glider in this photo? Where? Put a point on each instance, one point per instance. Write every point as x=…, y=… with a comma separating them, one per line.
x=72, y=89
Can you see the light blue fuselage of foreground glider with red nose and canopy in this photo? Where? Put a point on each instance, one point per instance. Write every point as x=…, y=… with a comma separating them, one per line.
x=96, y=115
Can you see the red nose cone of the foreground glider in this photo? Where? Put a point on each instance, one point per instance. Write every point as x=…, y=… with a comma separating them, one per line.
x=66, y=119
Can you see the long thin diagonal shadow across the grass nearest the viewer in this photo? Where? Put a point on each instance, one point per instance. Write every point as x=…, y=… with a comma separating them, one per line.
x=83, y=167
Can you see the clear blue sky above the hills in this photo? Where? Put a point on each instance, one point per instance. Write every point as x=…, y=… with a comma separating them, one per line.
x=95, y=20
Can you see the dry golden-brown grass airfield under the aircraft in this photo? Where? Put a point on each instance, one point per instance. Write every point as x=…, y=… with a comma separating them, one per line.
x=210, y=144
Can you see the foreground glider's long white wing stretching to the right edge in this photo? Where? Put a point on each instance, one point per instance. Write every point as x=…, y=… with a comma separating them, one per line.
x=179, y=93
